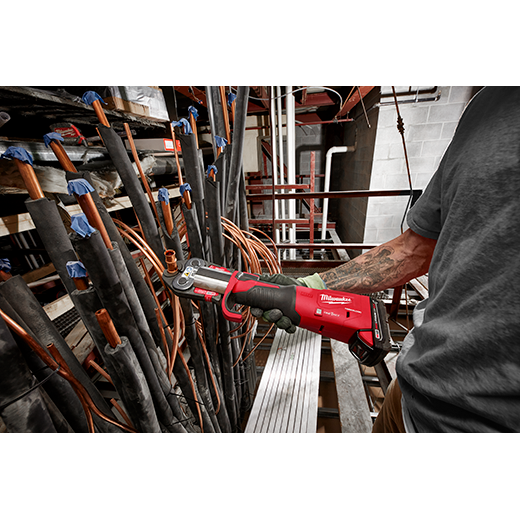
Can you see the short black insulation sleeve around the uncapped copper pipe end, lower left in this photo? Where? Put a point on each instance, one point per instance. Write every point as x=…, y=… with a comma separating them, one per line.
x=130, y=383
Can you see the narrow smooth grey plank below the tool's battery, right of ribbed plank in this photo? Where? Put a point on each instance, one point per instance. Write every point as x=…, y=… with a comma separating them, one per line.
x=354, y=413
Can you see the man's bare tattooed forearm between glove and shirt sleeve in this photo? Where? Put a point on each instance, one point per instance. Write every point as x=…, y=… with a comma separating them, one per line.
x=389, y=265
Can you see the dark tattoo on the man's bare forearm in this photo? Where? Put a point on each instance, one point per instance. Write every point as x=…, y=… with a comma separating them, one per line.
x=374, y=271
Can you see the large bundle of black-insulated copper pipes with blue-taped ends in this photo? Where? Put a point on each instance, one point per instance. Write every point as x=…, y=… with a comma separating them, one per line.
x=176, y=366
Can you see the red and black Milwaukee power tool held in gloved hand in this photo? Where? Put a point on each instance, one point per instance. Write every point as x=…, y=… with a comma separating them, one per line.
x=350, y=318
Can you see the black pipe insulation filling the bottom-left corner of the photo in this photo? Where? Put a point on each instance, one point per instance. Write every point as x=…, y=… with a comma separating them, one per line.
x=20, y=413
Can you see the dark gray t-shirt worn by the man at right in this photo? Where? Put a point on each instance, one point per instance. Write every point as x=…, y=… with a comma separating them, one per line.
x=462, y=373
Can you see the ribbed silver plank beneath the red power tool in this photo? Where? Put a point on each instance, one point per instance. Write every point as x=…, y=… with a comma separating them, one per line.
x=287, y=397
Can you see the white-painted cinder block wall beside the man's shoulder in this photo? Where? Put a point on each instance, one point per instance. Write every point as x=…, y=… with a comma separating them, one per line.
x=429, y=127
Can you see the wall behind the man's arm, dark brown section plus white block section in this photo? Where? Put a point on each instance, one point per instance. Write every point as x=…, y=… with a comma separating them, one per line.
x=430, y=119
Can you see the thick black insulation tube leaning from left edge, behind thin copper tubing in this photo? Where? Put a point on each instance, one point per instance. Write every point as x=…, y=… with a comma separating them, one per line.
x=24, y=302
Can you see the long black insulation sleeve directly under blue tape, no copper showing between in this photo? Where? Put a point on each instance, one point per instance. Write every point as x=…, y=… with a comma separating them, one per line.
x=105, y=279
